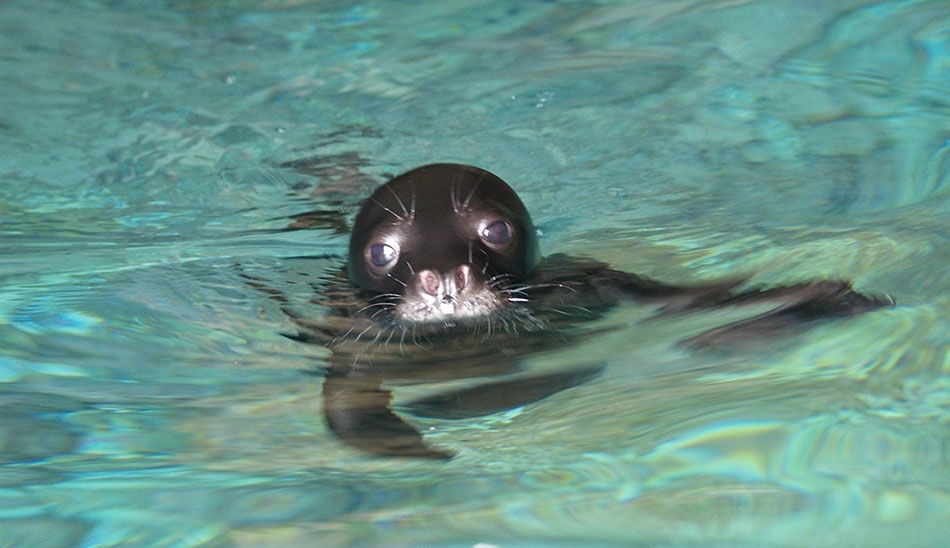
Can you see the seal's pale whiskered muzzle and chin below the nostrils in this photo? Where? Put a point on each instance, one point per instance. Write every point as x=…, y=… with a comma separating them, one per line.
x=422, y=307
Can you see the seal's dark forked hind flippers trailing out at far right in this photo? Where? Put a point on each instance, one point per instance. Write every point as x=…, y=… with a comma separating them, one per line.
x=797, y=306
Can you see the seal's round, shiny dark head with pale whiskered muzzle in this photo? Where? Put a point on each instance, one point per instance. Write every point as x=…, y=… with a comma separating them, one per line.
x=439, y=240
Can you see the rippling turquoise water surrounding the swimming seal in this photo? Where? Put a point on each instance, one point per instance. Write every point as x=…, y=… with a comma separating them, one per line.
x=148, y=398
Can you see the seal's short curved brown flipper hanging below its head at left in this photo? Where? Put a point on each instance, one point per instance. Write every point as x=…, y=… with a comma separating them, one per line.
x=357, y=411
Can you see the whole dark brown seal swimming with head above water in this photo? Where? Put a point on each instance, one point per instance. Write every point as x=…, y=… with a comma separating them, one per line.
x=445, y=282
